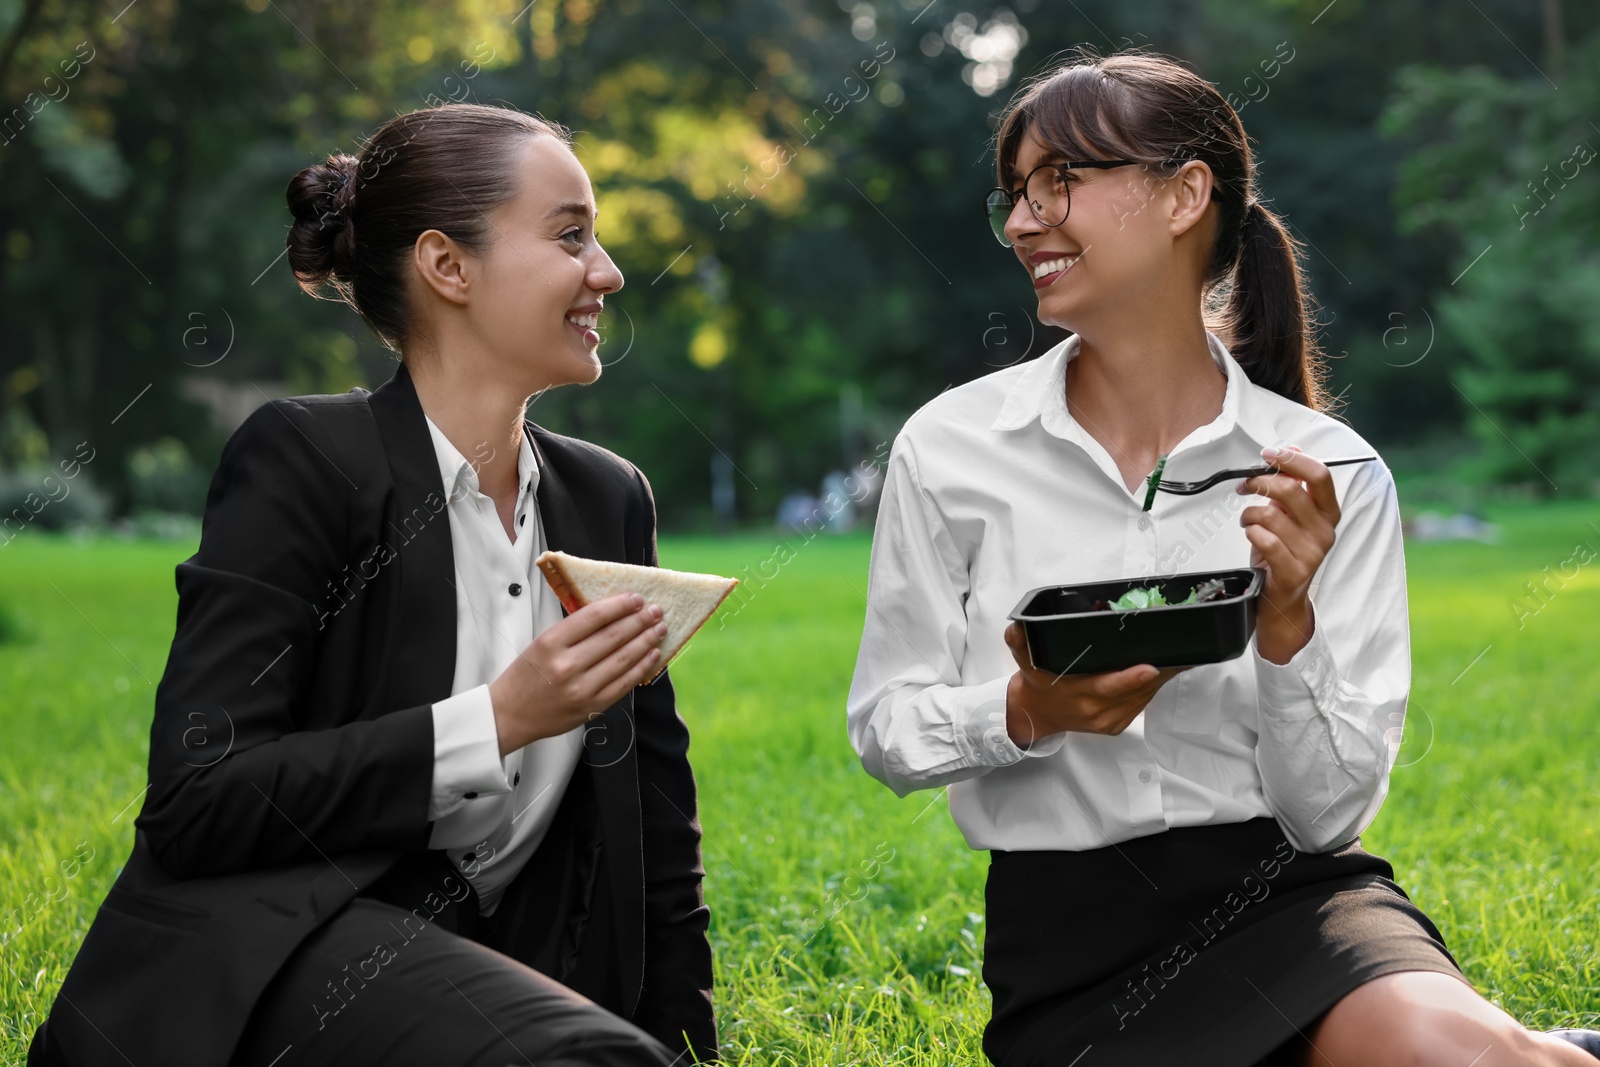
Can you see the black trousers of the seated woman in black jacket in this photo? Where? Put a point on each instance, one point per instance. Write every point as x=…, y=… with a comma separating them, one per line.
x=412, y=973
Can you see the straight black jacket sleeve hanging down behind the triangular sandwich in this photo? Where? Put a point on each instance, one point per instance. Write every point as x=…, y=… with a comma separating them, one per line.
x=676, y=1001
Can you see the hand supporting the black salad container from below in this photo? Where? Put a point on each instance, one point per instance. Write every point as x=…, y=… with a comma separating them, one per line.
x=1041, y=703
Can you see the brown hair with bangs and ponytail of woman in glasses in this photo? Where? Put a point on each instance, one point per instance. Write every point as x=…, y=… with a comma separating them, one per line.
x=1150, y=108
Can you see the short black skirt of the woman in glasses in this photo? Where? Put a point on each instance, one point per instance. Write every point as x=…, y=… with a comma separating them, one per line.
x=1218, y=945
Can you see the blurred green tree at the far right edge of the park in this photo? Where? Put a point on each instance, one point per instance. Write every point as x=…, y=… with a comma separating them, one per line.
x=1506, y=167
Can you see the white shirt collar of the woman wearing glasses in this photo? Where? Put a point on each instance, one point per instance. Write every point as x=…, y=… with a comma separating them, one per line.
x=1041, y=393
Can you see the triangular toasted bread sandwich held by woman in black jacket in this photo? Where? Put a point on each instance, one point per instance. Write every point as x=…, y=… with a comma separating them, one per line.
x=686, y=599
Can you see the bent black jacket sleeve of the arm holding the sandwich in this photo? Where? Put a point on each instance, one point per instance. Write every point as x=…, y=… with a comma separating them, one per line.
x=236, y=781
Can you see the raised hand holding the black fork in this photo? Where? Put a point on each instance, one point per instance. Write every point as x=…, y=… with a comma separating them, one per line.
x=1292, y=535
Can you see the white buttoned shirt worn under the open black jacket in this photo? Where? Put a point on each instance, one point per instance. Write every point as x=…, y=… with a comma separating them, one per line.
x=490, y=813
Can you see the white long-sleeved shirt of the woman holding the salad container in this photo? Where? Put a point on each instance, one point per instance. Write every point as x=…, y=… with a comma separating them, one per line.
x=993, y=490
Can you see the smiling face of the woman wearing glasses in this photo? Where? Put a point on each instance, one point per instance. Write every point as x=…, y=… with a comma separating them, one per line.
x=1122, y=249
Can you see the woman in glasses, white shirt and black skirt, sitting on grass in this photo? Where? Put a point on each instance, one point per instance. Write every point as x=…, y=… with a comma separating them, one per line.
x=1177, y=873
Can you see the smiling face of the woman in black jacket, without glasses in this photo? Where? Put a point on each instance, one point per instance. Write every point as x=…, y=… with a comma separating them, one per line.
x=540, y=287
